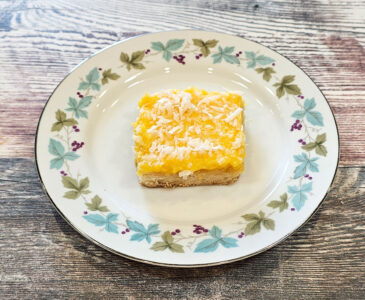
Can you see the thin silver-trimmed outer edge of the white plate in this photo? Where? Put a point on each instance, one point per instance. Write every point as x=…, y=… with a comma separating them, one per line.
x=150, y=262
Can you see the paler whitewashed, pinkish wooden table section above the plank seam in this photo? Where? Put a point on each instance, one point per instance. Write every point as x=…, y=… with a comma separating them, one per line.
x=42, y=40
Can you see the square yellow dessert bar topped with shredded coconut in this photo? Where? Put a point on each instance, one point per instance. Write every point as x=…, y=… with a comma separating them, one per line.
x=189, y=137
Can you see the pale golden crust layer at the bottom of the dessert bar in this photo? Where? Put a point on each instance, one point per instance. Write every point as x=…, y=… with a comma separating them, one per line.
x=202, y=177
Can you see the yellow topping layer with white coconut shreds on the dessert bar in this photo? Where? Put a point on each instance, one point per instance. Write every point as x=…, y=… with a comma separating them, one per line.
x=181, y=125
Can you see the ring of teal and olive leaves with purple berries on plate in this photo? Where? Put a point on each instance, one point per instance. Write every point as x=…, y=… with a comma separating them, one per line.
x=65, y=147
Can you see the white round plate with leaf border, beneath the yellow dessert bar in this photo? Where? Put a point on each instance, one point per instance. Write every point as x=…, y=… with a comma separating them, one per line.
x=84, y=150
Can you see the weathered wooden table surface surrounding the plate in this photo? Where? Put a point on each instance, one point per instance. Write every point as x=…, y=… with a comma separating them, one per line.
x=41, y=256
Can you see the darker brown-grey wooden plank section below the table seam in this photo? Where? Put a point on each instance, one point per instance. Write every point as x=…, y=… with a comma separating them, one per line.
x=43, y=257
